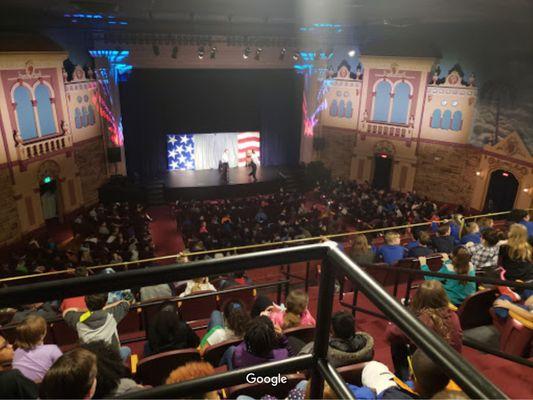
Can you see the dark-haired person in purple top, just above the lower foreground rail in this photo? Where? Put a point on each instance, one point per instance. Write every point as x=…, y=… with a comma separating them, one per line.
x=262, y=343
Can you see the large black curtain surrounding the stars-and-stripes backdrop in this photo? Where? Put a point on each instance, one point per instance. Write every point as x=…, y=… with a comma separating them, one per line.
x=155, y=103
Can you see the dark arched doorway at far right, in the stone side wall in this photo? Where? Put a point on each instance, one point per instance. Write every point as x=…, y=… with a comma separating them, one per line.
x=501, y=194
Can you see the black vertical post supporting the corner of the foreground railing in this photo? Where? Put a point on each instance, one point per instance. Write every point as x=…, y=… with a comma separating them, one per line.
x=326, y=292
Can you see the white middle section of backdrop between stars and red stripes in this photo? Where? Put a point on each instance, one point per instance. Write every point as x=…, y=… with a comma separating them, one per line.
x=208, y=149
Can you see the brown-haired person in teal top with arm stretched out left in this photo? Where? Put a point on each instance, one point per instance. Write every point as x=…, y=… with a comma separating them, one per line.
x=460, y=264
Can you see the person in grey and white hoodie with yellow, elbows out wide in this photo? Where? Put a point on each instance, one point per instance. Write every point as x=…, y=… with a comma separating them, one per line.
x=100, y=321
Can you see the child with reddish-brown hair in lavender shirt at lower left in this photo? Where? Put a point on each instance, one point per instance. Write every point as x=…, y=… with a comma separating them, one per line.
x=32, y=357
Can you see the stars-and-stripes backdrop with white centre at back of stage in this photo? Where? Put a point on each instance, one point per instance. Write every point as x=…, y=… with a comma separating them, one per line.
x=197, y=151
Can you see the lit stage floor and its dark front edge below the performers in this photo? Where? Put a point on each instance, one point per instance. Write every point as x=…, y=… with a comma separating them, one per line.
x=206, y=184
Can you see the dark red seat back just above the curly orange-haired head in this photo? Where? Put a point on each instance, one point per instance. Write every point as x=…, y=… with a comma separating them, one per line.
x=154, y=370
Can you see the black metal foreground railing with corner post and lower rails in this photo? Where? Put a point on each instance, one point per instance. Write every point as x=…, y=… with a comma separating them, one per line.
x=334, y=262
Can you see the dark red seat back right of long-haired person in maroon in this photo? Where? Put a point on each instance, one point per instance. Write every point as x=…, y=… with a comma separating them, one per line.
x=474, y=311
